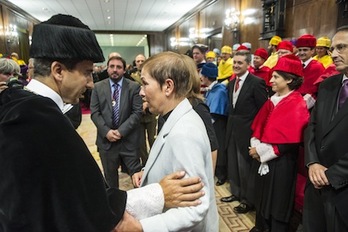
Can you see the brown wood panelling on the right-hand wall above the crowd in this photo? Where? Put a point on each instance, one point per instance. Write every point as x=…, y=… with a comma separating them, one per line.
x=318, y=17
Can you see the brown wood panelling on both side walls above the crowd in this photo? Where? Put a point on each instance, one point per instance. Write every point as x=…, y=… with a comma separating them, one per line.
x=318, y=17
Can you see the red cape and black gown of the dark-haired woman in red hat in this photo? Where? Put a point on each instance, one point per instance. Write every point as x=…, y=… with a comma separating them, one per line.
x=281, y=126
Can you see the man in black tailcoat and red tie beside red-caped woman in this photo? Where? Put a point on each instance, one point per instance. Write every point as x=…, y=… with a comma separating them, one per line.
x=247, y=93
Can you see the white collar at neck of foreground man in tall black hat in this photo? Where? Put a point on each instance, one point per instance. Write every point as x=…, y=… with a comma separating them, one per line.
x=45, y=91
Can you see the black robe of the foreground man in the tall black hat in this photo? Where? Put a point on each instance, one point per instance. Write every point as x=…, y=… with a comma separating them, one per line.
x=49, y=179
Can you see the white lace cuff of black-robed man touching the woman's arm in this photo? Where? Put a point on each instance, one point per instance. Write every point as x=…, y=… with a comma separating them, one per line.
x=145, y=202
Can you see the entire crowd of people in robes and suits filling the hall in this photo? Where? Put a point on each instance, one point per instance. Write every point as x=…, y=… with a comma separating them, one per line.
x=257, y=120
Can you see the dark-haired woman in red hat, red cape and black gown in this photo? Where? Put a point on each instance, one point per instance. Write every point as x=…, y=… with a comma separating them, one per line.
x=277, y=134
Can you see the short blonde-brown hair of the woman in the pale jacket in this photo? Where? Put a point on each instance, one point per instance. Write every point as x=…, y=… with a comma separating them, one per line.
x=170, y=65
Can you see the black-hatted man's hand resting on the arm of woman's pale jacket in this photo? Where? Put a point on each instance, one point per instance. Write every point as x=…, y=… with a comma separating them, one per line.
x=180, y=192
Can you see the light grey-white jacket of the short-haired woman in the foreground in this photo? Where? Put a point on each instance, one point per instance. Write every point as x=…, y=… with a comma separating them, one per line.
x=183, y=144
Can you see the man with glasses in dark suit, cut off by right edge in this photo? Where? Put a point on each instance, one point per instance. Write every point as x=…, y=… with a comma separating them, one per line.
x=326, y=193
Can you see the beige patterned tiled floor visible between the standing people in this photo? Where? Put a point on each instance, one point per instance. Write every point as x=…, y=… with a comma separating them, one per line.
x=229, y=221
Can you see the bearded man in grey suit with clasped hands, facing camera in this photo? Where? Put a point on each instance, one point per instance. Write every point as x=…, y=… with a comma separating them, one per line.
x=119, y=140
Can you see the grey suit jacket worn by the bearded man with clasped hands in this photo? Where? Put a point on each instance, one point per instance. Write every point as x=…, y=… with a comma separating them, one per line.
x=130, y=113
